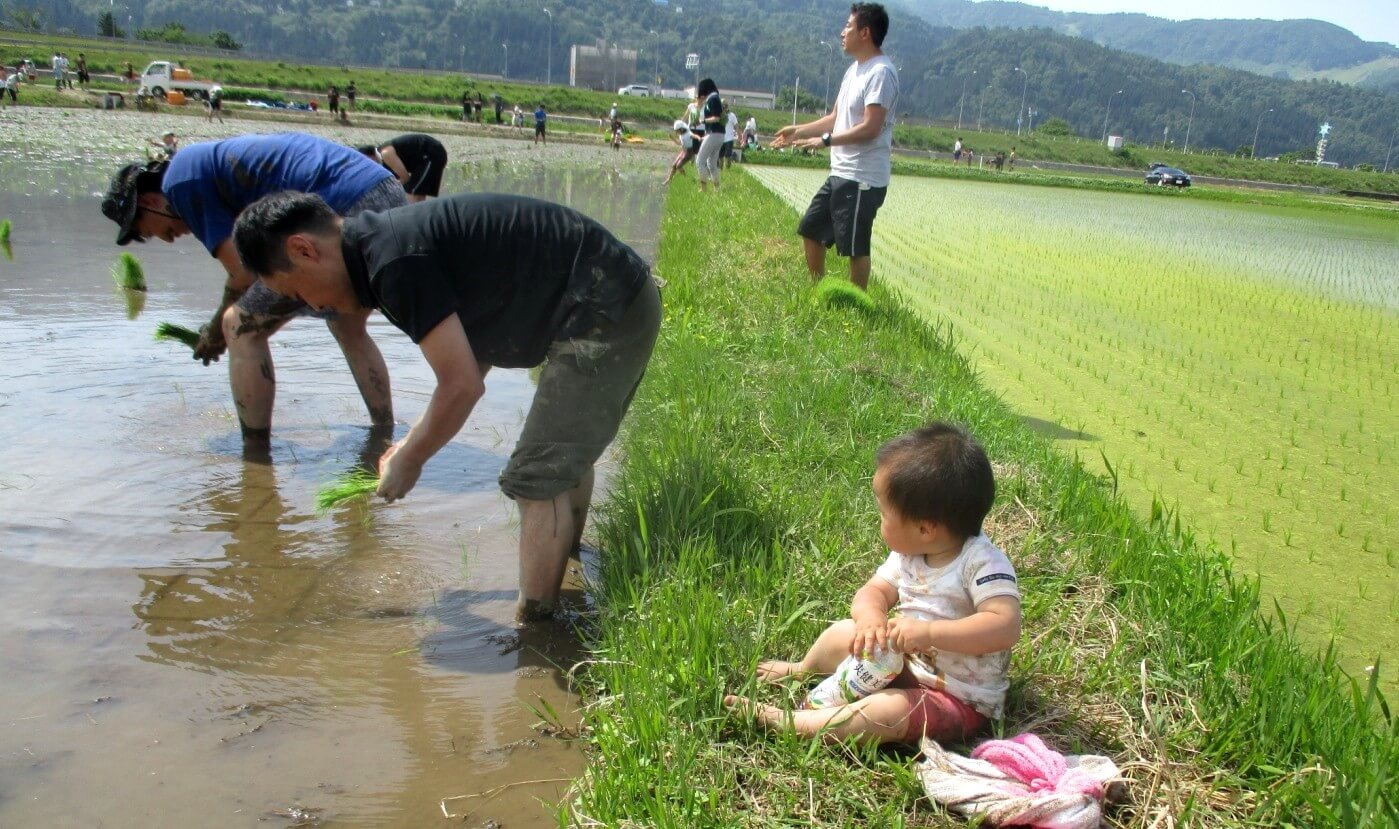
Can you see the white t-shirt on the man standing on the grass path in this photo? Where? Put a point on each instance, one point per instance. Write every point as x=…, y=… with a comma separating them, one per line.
x=874, y=82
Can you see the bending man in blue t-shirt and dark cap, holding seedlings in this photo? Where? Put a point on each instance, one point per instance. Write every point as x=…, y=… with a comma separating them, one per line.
x=201, y=192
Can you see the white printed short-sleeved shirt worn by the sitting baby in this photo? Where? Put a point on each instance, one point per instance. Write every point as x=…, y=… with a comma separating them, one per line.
x=981, y=571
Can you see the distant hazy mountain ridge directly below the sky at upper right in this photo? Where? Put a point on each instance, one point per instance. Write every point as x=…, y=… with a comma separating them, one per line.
x=1286, y=48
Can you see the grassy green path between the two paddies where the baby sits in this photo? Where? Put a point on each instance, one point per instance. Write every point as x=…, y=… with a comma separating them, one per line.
x=742, y=522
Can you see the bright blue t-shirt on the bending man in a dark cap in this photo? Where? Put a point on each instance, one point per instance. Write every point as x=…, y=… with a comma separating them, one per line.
x=211, y=184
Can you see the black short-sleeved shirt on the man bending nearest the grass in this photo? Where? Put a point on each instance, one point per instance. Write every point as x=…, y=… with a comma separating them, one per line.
x=518, y=272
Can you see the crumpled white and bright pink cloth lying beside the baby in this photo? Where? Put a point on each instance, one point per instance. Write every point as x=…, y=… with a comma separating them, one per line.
x=1019, y=784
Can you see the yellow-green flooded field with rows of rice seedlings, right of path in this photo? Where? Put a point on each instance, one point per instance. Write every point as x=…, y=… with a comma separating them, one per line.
x=1235, y=366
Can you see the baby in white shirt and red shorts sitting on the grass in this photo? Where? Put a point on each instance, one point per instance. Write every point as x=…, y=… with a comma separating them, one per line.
x=956, y=598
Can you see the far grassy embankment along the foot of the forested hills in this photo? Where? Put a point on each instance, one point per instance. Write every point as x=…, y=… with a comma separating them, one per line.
x=439, y=96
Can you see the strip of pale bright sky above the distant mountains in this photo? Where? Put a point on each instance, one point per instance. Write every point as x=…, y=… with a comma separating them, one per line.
x=1373, y=20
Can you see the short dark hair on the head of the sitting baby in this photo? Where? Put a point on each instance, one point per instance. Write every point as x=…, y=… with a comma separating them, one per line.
x=939, y=475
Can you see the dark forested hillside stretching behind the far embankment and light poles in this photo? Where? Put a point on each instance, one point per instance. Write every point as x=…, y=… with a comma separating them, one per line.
x=753, y=45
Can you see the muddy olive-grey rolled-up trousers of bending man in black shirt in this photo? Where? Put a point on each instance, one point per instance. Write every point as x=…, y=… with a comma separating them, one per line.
x=584, y=392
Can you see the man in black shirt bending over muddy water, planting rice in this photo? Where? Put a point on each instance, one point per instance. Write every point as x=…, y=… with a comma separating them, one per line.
x=479, y=280
